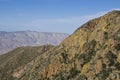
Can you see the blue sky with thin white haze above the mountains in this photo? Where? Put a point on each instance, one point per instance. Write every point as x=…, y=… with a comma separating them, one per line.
x=63, y=16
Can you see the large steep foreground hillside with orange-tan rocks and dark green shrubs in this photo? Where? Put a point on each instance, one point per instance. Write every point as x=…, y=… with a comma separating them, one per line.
x=92, y=52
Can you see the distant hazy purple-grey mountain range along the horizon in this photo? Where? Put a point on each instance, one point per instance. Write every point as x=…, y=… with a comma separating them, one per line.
x=12, y=40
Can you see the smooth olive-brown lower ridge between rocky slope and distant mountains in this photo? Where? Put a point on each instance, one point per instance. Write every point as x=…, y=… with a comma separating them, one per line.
x=18, y=58
